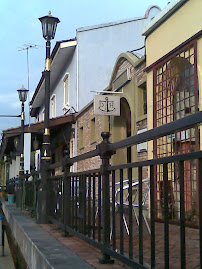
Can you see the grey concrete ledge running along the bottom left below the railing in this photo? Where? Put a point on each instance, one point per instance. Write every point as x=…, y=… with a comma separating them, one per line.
x=39, y=248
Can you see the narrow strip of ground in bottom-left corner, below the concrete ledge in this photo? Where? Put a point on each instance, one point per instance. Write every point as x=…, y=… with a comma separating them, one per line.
x=6, y=261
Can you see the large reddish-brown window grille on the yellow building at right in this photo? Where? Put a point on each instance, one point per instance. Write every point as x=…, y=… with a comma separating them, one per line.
x=176, y=96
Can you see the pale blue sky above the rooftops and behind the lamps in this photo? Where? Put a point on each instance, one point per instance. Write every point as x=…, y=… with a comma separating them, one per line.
x=21, y=28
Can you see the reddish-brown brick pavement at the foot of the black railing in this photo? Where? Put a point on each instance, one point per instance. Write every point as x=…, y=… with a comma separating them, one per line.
x=92, y=255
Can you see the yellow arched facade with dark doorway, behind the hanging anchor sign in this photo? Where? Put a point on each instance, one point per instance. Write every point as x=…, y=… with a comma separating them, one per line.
x=129, y=81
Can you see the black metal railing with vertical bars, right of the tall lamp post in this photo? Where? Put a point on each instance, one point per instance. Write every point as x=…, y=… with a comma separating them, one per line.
x=115, y=209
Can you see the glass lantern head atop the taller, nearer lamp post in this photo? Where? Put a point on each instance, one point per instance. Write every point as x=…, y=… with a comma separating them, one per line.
x=49, y=25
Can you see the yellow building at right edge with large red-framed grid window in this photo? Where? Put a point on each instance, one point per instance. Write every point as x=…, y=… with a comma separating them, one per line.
x=174, y=72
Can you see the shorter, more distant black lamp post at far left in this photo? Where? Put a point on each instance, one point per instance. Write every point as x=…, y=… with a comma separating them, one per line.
x=22, y=92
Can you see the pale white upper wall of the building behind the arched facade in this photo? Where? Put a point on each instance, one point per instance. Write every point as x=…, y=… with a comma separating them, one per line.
x=91, y=64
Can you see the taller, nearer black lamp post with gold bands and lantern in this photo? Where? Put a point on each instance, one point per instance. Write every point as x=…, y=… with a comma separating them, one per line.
x=49, y=25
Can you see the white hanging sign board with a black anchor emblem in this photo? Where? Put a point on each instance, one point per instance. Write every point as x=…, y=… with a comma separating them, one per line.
x=107, y=105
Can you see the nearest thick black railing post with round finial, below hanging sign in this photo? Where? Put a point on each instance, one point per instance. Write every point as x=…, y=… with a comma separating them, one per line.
x=105, y=155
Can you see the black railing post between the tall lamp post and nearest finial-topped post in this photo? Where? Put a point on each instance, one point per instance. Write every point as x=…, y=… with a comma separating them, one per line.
x=67, y=192
